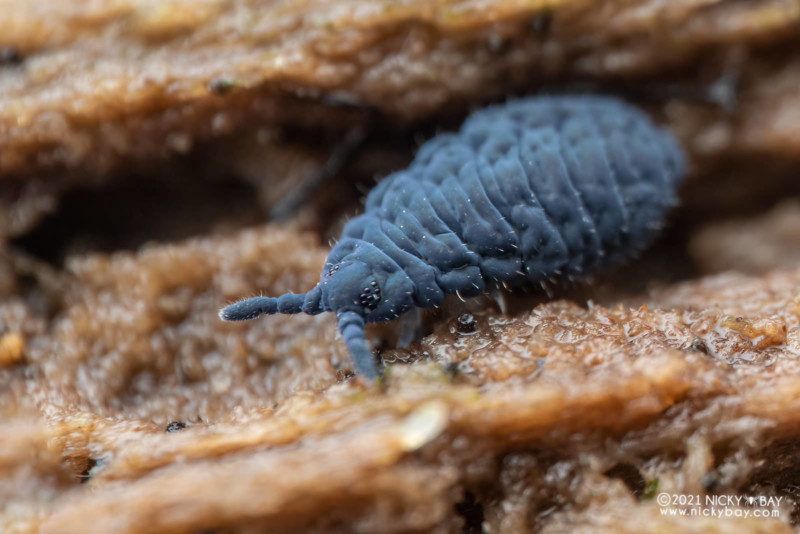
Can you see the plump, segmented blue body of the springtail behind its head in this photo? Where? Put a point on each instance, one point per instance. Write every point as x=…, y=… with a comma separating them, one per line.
x=529, y=189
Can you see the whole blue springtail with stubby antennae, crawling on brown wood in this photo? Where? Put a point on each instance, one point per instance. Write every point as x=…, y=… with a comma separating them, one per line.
x=542, y=187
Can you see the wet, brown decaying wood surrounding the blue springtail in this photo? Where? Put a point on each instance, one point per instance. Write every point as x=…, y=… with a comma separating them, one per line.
x=676, y=373
